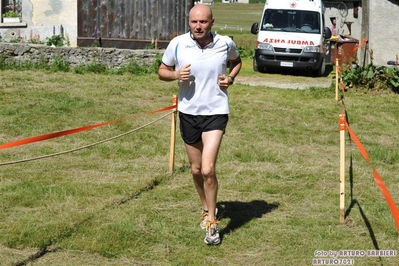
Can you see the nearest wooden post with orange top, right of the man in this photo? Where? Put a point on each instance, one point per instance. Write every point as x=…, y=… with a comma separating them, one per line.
x=342, y=128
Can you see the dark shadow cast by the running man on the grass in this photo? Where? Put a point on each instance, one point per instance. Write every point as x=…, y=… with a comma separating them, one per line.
x=241, y=213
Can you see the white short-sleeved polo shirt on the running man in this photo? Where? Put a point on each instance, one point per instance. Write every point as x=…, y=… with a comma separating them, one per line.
x=201, y=95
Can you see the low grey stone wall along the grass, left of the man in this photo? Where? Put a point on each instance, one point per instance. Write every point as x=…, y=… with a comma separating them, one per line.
x=111, y=57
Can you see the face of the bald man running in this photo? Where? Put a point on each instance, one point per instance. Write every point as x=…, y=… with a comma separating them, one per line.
x=201, y=24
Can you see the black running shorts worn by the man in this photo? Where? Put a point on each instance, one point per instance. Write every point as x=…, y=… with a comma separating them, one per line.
x=192, y=126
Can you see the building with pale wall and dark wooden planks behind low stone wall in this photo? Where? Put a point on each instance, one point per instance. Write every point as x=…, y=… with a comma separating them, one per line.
x=112, y=23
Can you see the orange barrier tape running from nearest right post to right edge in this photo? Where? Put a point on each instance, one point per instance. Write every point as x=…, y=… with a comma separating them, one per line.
x=377, y=178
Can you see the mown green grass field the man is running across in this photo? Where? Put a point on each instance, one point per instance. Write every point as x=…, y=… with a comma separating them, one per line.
x=115, y=202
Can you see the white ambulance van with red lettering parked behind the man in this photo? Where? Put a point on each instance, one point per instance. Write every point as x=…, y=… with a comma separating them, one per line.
x=291, y=35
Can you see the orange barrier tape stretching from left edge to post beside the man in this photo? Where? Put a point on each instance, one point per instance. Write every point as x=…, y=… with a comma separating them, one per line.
x=71, y=131
